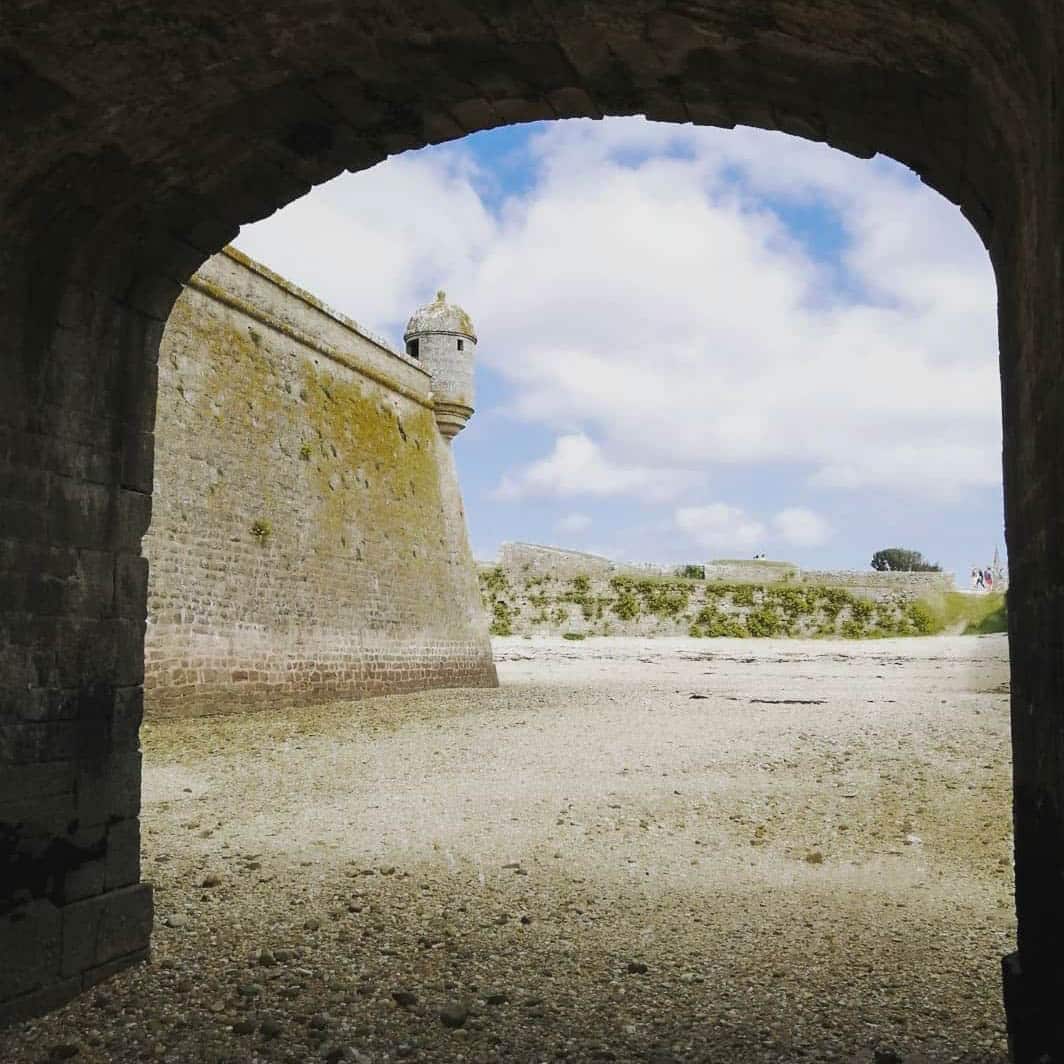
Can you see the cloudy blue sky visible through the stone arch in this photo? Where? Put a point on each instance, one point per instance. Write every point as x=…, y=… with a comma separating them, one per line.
x=694, y=343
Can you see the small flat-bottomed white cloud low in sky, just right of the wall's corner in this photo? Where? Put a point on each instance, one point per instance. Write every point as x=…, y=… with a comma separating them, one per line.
x=578, y=467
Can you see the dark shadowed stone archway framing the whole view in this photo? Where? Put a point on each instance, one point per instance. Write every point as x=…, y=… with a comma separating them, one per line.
x=136, y=142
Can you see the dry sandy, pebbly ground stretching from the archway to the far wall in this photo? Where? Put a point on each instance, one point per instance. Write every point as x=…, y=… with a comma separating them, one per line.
x=634, y=851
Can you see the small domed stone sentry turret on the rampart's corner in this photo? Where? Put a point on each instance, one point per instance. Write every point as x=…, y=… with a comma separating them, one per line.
x=442, y=338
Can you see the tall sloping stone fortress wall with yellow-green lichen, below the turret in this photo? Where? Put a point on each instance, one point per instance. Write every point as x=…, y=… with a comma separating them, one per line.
x=308, y=539
